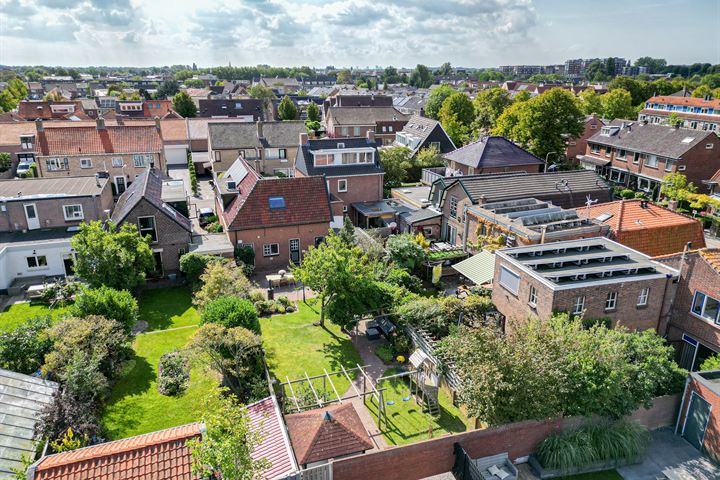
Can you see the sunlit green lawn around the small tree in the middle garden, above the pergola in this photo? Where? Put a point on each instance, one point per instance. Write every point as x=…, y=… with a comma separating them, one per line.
x=294, y=346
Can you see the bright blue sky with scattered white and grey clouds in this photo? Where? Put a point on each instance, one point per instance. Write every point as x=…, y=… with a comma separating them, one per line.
x=354, y=33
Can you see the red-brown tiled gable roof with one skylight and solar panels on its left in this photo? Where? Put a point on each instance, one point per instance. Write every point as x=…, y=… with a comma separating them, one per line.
x=306, y=200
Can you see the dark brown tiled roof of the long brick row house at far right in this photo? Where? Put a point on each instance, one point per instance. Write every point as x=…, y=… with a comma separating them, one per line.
x=656, y=139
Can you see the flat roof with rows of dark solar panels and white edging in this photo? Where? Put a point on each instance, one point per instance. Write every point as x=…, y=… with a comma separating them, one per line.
x=580, y=263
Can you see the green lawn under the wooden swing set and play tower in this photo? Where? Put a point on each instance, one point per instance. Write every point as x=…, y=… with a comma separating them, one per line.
x=406, y=421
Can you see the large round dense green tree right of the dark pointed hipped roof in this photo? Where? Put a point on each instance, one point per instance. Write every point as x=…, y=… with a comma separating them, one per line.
x=543, y=123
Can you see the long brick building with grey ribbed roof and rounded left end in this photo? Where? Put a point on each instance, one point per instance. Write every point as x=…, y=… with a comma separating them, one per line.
x=453, y=195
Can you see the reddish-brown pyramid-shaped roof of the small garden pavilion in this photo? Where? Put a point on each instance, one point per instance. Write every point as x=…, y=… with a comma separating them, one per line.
x=326, y=433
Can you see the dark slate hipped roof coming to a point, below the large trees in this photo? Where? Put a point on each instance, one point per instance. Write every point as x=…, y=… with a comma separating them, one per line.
x=492, y=152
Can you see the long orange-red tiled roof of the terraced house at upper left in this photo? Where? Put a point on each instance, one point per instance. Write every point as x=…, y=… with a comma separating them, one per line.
x=71, y=140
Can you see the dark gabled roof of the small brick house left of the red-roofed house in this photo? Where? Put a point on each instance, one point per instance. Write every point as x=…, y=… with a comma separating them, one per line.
x=148, y=186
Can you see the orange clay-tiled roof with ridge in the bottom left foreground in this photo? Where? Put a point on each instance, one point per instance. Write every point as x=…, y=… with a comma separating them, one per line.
x=158, y=455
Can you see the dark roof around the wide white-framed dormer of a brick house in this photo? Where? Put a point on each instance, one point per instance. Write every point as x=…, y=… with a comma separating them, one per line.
x=304, y=159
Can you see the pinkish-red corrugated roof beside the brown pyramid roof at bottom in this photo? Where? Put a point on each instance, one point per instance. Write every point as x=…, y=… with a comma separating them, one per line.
x=274, y=447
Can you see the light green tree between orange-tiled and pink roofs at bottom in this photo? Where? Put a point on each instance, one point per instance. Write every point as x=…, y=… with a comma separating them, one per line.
x=225, y=450
